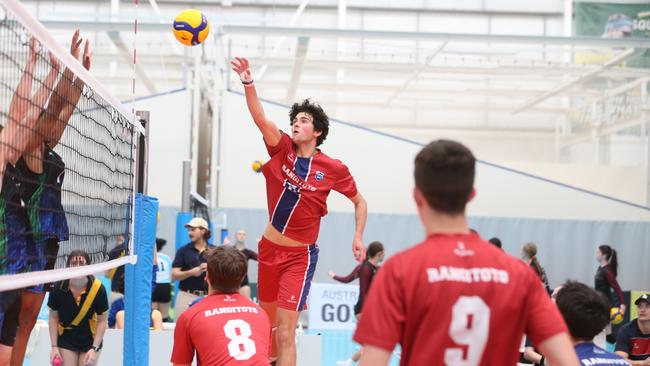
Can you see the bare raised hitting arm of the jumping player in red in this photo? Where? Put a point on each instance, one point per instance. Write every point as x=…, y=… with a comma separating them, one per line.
x=268, y=128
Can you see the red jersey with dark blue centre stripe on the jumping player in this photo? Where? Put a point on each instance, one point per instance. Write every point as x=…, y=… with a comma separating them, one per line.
x=297, y=189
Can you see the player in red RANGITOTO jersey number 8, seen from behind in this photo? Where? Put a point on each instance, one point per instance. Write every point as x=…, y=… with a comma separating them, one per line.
x=224, y=328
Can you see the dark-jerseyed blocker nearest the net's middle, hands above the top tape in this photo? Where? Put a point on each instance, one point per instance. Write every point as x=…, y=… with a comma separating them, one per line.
x=42, y=172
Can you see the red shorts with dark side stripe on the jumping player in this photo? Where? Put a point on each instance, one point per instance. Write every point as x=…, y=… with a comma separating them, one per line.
x=285, y=274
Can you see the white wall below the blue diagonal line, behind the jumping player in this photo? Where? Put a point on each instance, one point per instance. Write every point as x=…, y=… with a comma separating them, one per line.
x=382, y=167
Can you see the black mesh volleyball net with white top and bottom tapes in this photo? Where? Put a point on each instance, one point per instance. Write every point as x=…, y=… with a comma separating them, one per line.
x=67, y=157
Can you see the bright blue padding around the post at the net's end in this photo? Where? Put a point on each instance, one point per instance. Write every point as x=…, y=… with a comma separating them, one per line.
x=138, y=282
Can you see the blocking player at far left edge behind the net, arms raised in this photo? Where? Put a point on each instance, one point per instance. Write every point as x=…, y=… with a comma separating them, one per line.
x=24, y=112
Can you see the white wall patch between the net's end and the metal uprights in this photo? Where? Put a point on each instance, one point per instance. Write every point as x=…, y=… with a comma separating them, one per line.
x=169, y=136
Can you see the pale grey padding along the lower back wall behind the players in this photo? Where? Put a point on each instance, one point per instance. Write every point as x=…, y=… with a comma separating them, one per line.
x=566, y=247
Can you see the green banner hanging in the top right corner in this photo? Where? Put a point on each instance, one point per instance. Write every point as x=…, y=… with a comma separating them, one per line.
x=612, y=21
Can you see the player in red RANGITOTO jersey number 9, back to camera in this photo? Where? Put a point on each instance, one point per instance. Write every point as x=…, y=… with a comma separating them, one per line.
x=455, y=299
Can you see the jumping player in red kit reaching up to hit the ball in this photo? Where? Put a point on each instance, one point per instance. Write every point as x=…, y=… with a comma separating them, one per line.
x=299, y=177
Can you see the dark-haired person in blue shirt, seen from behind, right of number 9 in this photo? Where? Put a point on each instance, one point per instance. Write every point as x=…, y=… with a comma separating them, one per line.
x=586, y=313
